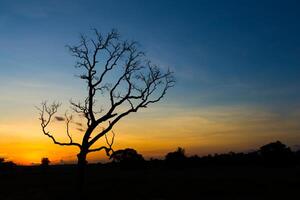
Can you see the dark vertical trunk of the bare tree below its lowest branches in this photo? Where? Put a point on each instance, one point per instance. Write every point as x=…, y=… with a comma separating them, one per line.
x=81, y=173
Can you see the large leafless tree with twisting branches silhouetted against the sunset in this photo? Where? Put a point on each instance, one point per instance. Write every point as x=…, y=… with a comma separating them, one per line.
x=117, y=72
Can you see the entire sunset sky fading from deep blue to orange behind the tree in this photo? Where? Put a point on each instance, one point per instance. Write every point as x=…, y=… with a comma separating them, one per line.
x=236, y=65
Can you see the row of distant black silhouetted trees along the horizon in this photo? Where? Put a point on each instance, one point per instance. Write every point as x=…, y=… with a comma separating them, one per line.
x=275, y=154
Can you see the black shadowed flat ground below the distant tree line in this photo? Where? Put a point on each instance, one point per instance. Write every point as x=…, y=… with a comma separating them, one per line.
x=104, y=182
